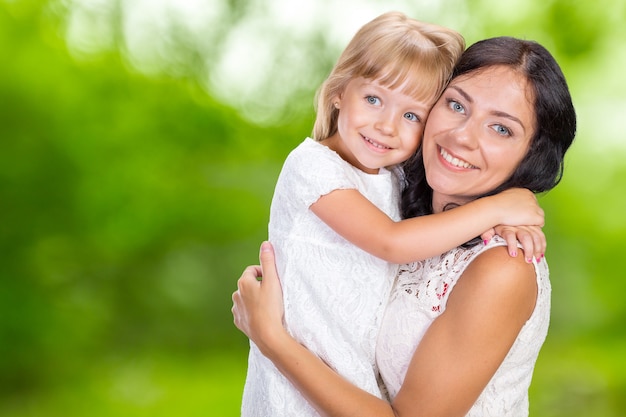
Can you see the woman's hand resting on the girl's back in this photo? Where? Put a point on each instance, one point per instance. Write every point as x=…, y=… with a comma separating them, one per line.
x=258, y=302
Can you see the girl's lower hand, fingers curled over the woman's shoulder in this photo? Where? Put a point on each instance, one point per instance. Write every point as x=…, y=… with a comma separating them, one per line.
x=531, y=238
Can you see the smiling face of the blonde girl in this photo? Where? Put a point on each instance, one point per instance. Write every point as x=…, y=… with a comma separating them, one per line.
x=377, y=126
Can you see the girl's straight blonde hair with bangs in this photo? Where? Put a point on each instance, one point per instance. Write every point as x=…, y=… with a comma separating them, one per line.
x=397, y=51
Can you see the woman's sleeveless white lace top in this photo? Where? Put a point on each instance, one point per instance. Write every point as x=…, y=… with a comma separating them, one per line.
x=419, y=296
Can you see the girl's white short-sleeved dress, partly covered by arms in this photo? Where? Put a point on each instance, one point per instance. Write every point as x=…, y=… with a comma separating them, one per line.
x=334, y=292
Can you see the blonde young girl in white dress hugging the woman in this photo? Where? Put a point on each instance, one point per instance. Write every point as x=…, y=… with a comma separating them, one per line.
x=334, y=218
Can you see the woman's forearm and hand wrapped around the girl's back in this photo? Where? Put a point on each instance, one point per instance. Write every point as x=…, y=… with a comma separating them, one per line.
x=258, y=311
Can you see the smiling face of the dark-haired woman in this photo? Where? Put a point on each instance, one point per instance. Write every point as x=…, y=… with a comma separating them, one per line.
x=477, y=134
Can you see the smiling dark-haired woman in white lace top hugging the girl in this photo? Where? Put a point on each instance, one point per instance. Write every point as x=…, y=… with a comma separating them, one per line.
x=462, y=331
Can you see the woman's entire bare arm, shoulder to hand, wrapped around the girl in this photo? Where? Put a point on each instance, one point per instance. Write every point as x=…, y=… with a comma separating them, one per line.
x=457, y=357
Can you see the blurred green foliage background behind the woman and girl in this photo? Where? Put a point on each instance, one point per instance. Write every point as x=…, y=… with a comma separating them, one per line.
x=139, y=145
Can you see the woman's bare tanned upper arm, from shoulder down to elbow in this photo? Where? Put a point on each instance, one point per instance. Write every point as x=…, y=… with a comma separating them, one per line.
x=462, y=349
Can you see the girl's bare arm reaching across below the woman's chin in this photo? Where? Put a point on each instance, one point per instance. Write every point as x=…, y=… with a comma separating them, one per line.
x=359, y=221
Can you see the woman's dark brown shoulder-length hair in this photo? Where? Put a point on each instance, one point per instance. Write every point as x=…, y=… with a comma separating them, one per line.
x=542, y=167
